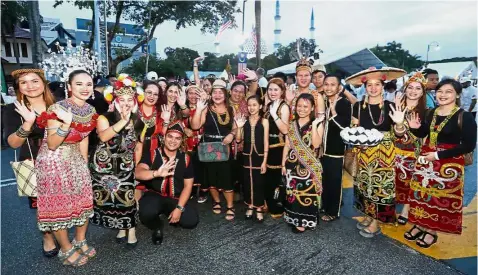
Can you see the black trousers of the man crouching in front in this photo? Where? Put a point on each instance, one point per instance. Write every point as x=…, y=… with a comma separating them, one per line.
x=152, y=204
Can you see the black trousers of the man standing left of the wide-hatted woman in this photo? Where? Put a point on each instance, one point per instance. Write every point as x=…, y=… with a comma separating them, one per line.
x=332, y=185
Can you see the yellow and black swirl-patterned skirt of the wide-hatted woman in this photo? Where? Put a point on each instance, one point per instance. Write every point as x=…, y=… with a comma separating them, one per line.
x=374, y=185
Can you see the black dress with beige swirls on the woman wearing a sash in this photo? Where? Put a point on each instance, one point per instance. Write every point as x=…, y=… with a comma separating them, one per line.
x=302, y=186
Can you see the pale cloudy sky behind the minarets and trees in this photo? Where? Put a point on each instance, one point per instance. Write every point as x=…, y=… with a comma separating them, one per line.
x=342, y=27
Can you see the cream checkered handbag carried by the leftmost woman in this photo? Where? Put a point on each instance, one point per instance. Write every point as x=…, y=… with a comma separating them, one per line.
x=25, y=174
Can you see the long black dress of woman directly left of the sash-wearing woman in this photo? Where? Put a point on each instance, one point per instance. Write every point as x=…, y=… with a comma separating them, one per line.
x=274, y=162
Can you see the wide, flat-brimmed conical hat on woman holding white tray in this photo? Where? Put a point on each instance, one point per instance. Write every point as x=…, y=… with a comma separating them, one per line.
x=384, y=74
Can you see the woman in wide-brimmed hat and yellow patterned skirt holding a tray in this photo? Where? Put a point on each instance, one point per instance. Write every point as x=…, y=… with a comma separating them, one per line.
x=374, y=185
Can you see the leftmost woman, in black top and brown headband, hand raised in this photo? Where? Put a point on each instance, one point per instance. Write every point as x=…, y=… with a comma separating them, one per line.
x=22, y=131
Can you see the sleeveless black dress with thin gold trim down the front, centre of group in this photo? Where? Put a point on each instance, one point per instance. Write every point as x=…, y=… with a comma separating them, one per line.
x=253, y=156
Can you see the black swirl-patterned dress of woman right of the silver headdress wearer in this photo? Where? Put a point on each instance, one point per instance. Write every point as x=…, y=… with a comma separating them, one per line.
x=112, y=169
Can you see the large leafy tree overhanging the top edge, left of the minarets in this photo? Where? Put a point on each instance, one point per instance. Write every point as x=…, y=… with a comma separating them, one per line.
x=209, y=14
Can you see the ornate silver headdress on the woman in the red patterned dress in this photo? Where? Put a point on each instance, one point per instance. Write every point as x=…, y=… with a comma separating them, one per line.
x=58, y=65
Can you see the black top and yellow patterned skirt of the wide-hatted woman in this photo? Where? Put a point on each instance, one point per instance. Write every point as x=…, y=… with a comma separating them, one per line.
x=374, y=185
